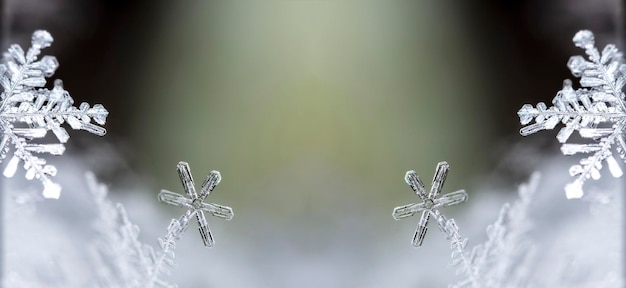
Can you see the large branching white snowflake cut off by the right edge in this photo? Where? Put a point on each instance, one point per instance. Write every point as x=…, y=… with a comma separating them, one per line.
x=597, y=111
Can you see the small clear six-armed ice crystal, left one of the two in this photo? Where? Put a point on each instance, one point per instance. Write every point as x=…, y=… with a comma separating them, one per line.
x=195, y=204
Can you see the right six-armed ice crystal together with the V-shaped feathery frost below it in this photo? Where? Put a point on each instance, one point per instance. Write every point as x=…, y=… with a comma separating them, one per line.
x=504, y=260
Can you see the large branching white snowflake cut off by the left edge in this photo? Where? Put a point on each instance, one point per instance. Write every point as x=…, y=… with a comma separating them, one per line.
x=28, y=111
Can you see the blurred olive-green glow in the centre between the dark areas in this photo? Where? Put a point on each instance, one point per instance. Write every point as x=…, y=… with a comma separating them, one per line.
x=290, y=98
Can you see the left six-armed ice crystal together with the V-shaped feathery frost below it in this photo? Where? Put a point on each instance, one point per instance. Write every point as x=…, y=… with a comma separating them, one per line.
x=121, y=259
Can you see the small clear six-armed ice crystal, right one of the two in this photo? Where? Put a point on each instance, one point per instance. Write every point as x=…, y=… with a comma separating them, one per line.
x=430, y=202
